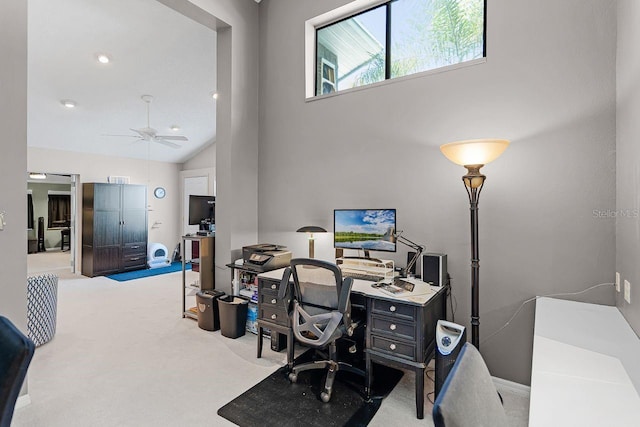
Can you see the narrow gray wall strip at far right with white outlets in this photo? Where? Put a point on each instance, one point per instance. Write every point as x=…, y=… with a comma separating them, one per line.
x=628, y=158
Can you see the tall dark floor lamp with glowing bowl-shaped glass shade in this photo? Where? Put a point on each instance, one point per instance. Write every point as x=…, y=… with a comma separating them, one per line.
x=473, y=154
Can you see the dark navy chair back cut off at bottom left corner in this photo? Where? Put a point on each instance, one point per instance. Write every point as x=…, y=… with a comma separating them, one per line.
x=16, y=352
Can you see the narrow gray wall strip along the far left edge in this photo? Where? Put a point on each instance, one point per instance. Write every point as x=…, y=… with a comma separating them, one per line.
x=13, y=160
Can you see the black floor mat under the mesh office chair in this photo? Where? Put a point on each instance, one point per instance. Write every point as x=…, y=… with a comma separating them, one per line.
x=276, y=402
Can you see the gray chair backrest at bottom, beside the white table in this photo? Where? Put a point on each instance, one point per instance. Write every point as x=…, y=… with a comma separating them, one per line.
x=468, y=397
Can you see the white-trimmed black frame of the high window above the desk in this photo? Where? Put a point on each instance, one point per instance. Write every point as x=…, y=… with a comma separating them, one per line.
x=360, y=7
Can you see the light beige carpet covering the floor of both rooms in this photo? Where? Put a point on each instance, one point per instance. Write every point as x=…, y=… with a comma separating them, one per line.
x=124, y=356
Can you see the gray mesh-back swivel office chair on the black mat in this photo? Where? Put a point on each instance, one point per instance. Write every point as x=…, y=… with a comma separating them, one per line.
x=321, y=314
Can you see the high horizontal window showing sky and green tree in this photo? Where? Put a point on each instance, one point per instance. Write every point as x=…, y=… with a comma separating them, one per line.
x=396, y=39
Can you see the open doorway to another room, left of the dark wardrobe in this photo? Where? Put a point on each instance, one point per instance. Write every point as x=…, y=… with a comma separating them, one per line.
x=51, y=223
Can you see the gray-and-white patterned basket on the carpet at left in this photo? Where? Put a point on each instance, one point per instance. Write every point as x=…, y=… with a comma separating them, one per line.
x=42, y=304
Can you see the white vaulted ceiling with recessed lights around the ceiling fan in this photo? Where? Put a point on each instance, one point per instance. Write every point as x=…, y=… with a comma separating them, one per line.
x=154, y=50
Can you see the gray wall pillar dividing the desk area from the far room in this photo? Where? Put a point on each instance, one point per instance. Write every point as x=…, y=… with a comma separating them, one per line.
x=236, y=151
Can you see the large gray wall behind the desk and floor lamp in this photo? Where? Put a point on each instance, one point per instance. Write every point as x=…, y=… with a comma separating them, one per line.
x=548, y=85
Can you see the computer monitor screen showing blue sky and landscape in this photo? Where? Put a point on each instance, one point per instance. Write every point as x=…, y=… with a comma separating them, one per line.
x=367, y=229
